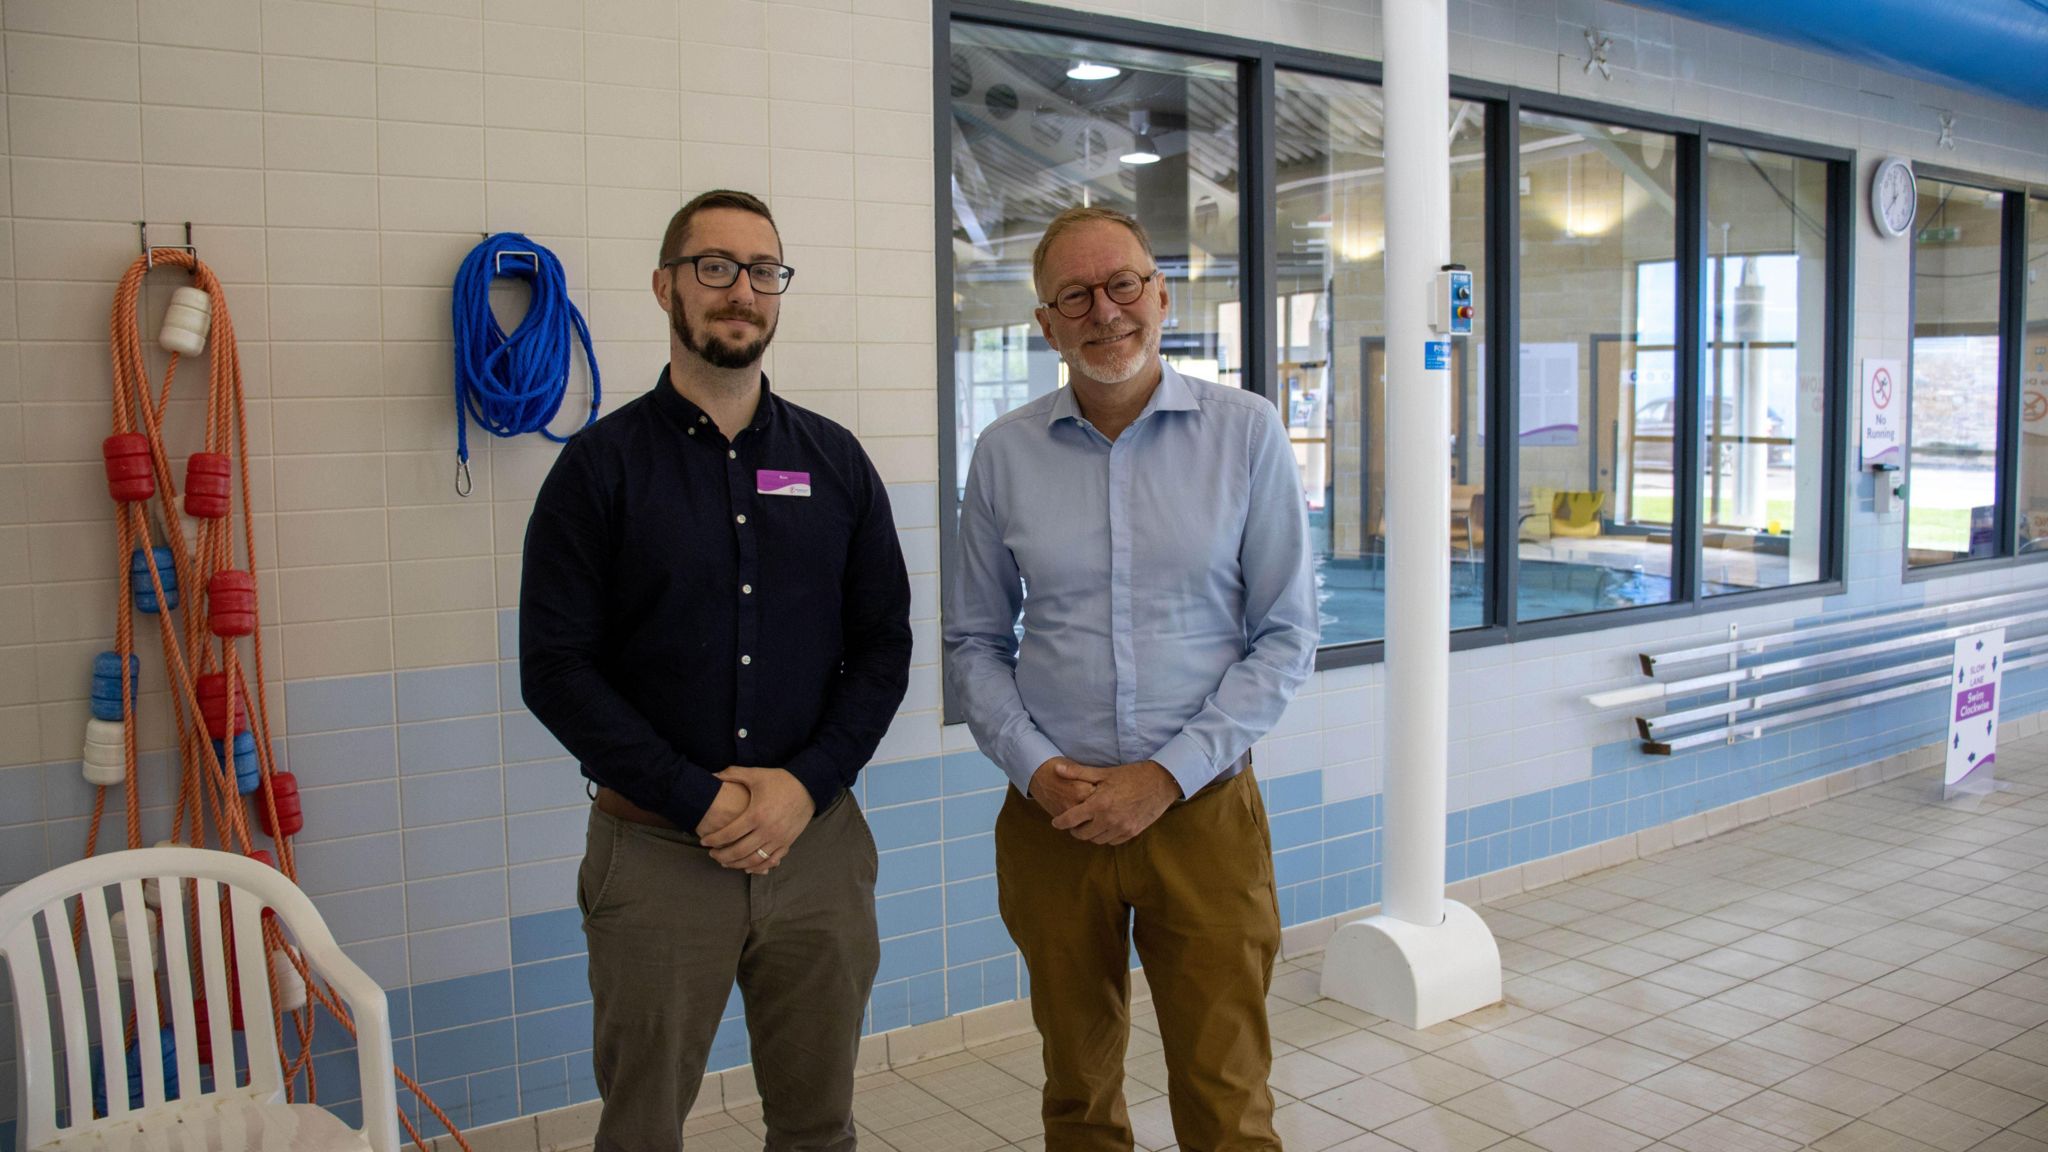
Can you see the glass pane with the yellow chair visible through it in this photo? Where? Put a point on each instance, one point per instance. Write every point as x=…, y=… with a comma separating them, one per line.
x=1596, y=366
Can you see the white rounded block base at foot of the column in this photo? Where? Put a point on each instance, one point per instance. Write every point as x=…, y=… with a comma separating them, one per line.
x=1410, y=975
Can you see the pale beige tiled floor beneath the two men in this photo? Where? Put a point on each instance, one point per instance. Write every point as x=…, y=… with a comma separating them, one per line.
x=1869, y=975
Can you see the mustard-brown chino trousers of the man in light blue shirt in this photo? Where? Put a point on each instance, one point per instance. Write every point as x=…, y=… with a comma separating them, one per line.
x=1197, y=897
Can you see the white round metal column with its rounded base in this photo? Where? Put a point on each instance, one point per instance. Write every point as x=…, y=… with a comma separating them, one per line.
x=1424, y=958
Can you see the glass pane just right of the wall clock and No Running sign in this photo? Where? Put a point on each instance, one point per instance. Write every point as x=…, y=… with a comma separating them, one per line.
x=1953, y=487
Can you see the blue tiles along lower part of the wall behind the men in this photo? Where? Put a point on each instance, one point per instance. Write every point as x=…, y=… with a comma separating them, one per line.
x=515, y=1036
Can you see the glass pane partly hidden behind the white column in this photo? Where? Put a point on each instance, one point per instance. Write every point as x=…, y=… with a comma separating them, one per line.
x=1330, y=235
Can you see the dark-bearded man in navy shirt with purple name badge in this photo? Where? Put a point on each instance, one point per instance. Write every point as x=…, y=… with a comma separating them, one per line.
x=716, y=622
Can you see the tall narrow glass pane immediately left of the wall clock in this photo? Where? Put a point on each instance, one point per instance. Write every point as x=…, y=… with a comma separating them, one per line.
x=1762, y=483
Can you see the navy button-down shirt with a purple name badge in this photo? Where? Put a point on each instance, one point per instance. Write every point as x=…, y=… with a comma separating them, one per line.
x=693, y=604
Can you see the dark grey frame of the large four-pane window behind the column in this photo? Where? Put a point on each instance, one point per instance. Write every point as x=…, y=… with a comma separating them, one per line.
x=1258, y=63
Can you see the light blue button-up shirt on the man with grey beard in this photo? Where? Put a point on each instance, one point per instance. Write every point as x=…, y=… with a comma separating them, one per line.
x=1164, y=583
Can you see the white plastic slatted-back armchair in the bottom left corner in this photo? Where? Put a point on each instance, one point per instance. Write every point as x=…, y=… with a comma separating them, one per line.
x=239, y=1112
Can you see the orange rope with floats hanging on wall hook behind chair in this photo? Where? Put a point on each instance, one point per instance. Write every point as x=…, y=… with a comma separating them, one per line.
x=208, y=778
